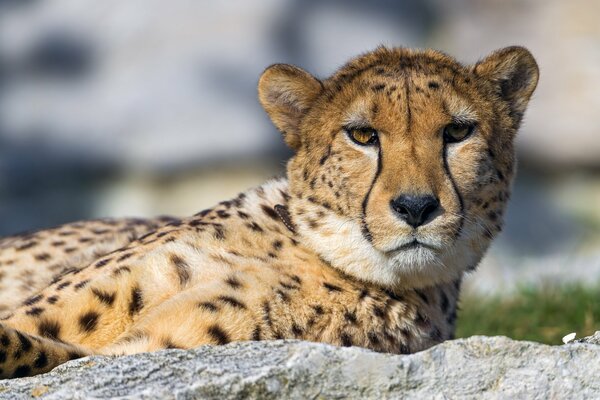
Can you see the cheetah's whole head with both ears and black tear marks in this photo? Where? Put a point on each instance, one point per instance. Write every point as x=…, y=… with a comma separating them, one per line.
x=404, y=158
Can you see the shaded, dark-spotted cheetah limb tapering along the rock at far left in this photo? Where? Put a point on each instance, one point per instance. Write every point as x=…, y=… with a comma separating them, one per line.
x=22, y=354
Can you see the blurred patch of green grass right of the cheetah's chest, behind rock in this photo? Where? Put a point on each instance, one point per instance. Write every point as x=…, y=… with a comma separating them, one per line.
x=542, y=314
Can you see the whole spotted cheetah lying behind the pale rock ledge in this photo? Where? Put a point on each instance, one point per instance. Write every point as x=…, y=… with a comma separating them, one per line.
x=401, y=174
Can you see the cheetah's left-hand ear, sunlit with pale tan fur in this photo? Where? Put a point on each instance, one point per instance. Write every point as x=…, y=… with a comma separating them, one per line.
x=286, y=93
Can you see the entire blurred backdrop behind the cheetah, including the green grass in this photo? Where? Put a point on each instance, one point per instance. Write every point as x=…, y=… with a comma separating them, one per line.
x=146, y=107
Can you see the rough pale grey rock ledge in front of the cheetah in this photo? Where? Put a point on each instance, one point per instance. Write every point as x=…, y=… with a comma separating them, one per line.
x=478, y=367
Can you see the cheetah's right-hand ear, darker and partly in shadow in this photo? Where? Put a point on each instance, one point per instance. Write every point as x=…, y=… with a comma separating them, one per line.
x=515, y=73
